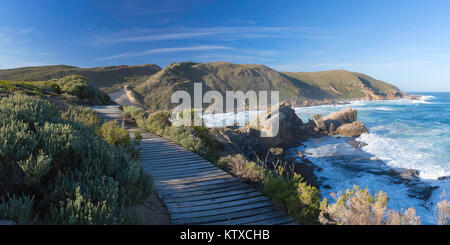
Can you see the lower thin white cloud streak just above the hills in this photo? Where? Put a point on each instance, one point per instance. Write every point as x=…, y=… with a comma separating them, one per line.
x=166, y=50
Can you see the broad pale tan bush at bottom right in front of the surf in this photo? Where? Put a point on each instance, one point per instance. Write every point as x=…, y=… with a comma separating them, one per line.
x=359, y=207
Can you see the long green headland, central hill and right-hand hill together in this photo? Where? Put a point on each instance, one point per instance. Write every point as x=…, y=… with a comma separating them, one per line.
x=297, y=88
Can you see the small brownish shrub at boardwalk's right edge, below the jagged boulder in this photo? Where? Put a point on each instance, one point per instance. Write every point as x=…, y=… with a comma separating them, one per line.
x=242, y=168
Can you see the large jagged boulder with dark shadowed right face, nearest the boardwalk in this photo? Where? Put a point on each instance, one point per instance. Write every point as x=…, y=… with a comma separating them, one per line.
x=290, y=128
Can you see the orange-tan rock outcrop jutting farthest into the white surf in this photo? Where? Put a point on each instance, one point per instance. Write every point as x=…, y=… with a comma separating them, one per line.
x=342, y=123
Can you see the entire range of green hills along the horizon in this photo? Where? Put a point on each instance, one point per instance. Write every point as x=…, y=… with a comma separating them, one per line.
x=152, y=85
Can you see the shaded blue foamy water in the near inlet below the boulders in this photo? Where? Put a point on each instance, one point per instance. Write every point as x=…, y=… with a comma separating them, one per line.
x=334, y=174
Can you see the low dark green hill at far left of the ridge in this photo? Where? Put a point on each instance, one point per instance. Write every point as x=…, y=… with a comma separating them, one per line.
x=107, y=79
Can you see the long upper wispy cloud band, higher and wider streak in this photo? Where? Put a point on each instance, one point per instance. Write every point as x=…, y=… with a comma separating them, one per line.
x=220, y=32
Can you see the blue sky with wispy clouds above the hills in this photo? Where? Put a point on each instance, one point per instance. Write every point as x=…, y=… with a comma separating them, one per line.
x=406, y=43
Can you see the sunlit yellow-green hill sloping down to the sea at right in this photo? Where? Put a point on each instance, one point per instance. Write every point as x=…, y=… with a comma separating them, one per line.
x=343, y=84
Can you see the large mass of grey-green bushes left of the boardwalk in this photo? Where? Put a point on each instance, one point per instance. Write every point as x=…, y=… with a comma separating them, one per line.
x=72, y=175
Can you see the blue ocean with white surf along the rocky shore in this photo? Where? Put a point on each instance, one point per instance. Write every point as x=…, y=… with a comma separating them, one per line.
x=403, y=134
